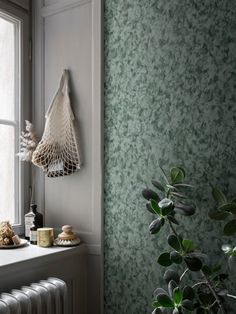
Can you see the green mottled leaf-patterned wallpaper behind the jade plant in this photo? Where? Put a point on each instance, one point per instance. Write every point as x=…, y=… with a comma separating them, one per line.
x=170, y=96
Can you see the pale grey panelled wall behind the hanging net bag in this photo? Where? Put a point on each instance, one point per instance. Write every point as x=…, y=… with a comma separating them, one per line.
x=67, y=34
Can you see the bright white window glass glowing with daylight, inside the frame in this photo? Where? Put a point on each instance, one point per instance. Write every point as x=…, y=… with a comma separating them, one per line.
x=7, y=120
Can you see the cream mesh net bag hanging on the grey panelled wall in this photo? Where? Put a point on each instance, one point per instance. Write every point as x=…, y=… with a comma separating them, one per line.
x=58, y=151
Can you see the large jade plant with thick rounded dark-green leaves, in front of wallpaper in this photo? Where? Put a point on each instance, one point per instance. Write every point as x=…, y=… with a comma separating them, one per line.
x=193, y=285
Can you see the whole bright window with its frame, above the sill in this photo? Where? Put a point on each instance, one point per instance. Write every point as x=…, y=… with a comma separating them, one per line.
x=14, y=101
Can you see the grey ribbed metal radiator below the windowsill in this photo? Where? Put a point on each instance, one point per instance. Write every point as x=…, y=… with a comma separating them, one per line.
x=45, y=297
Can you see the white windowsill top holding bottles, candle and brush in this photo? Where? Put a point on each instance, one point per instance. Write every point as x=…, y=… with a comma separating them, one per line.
x=9, y=257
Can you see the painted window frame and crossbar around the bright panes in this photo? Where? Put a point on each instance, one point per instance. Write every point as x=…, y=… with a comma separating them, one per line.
x=22, y=111
